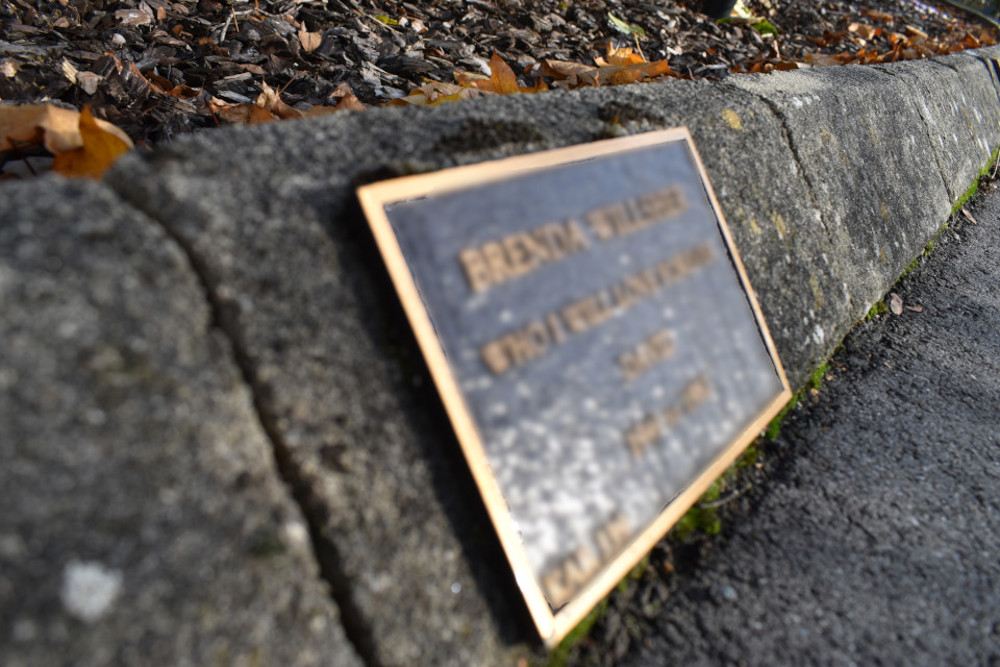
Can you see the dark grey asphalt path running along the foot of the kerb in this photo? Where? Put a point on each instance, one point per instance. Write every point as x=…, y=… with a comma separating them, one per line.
x=875, y=539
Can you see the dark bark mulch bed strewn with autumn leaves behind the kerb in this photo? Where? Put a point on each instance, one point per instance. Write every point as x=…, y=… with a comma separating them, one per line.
x=159, y=68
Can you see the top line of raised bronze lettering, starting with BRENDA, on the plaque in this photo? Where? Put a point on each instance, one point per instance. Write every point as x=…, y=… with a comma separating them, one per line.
x=519, y=254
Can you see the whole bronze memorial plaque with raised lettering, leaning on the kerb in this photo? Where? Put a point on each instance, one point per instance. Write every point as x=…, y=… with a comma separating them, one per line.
x=596, y=344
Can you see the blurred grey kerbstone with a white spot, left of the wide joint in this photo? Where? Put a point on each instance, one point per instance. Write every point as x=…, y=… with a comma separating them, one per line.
x=143, y=521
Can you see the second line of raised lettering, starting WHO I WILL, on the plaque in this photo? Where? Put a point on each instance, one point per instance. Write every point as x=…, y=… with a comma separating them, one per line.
x=537, y=337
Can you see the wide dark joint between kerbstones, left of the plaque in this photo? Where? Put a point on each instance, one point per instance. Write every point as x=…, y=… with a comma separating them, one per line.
x=324, y=551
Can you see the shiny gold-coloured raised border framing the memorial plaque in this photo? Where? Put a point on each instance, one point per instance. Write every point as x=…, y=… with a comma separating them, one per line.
x=552, y=627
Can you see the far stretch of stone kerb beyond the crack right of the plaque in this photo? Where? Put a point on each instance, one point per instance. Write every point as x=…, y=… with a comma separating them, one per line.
x=926, y=128
